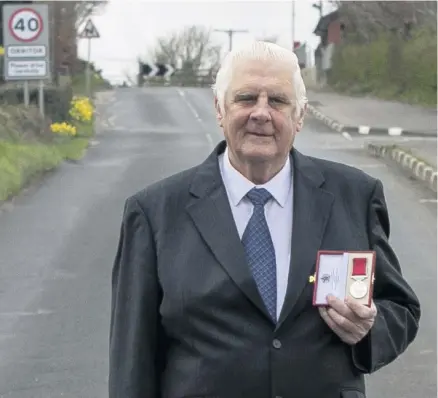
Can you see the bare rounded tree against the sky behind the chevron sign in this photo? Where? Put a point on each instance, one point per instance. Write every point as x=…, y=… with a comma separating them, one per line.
x=189, y=50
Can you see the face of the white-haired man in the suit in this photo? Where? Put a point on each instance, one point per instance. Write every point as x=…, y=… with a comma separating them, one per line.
x=259, y=121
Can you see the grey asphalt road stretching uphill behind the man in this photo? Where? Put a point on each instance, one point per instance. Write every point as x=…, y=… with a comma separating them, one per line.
x=58, y=241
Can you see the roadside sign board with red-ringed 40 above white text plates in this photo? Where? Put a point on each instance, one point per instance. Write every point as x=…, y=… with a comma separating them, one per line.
x=26, y=41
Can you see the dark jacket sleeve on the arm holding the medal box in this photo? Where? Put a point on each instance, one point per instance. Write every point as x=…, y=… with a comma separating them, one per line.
x=398, y=308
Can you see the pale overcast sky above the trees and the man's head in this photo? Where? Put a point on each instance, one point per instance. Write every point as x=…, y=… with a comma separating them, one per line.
x=128, y=28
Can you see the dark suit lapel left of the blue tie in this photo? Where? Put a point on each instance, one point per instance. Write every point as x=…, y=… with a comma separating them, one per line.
x=211, y=213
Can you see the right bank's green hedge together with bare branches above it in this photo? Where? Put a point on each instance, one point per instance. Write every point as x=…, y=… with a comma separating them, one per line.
x=388, y=50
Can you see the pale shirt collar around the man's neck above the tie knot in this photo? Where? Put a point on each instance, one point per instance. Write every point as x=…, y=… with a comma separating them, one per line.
x=238, y=185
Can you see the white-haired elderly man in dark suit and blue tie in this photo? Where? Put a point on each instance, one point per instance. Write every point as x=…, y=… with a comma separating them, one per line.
x=211, y=293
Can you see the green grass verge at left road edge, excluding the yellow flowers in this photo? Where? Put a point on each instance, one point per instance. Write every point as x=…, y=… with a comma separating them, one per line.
x=21, y=162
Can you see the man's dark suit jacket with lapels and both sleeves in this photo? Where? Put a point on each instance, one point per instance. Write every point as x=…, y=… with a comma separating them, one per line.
x=187, y=319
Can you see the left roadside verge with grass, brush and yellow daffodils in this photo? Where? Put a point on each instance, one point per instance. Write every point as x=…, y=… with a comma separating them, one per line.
x=31, y=145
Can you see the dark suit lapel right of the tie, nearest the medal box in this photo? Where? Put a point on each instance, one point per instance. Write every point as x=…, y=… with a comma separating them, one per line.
x=312, y=207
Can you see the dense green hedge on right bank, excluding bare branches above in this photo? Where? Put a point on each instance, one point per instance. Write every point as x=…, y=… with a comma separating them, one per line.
x=389, y=67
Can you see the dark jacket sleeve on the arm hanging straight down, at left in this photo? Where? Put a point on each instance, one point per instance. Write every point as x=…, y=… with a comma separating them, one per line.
x=134, y=330
